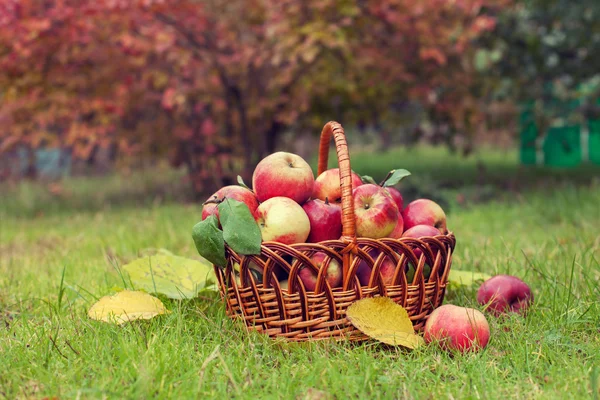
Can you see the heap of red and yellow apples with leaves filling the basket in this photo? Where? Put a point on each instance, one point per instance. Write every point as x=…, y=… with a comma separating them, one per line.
x=288, y=205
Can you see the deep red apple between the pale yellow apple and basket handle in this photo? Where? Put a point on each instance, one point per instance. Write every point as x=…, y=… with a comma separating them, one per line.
x=325, y=220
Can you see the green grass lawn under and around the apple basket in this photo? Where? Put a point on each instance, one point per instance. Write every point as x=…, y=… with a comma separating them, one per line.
x=59, y=254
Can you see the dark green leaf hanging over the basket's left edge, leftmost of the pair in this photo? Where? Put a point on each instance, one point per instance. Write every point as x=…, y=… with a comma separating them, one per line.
x=209, y=241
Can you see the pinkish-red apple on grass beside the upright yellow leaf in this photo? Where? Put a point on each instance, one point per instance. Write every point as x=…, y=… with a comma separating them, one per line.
x=457, y=328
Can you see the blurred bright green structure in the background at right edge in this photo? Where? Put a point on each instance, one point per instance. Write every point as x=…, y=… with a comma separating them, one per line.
x=565, y=144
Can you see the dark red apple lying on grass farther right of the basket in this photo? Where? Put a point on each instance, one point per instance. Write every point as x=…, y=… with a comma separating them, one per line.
x=505, y=293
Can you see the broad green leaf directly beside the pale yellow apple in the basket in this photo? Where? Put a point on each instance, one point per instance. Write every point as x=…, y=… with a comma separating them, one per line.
x=240, y=230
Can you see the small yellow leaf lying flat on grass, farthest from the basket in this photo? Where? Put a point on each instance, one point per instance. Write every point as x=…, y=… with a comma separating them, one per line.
x=126, y=306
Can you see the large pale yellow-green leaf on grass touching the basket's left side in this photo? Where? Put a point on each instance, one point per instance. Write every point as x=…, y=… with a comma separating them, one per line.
x=175, y=277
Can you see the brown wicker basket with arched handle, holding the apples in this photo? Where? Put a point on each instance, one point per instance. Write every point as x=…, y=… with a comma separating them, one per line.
x=298, y=314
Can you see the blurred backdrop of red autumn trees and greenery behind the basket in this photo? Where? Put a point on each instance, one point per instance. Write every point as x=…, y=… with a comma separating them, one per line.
x=113, y=102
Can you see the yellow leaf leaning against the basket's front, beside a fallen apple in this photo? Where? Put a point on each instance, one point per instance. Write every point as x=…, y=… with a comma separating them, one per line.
x=383, y=319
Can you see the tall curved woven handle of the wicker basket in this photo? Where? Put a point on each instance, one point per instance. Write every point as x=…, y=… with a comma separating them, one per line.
x=348, y=220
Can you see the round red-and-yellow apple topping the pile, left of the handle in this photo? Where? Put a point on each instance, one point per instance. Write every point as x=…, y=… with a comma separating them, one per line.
x=283, y=174
